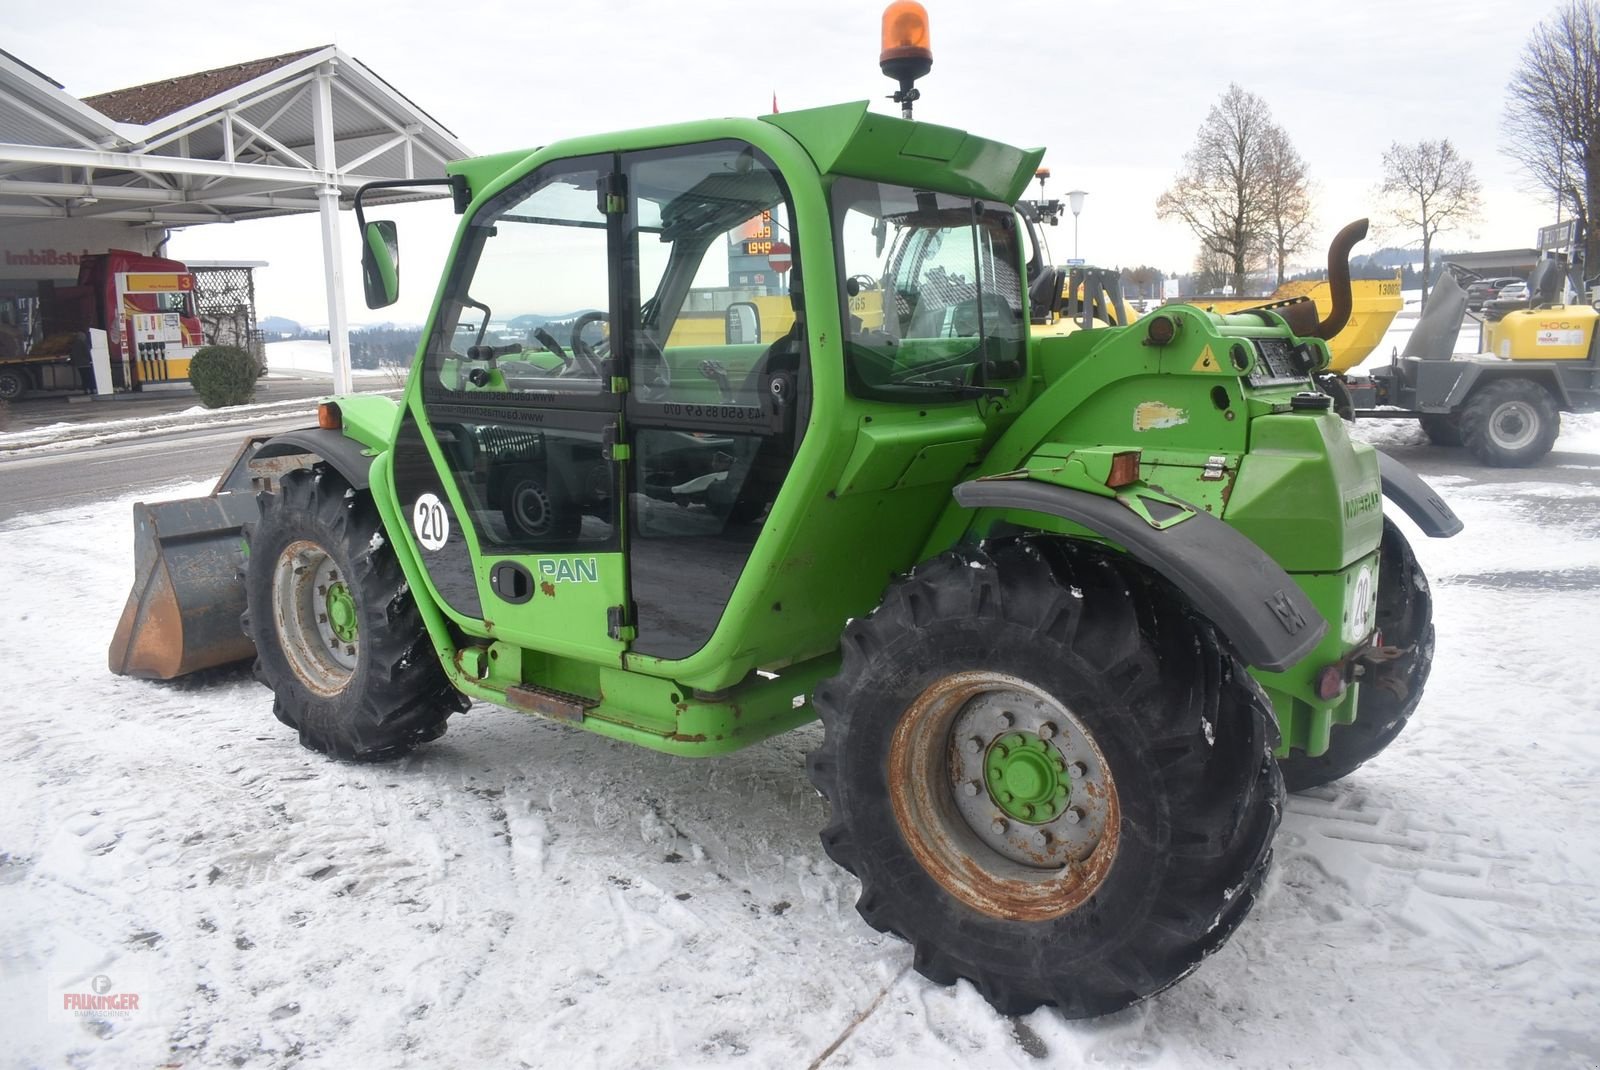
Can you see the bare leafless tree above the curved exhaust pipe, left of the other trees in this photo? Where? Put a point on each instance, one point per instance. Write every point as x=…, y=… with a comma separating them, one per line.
x=1222, y=193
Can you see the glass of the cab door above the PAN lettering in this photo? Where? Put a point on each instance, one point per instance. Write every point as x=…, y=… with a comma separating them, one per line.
x=518, y=367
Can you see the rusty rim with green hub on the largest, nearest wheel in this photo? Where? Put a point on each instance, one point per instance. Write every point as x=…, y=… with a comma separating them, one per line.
x=1023, y=855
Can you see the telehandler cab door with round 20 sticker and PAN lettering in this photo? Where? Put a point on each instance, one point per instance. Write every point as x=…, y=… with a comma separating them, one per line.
x=510, y=466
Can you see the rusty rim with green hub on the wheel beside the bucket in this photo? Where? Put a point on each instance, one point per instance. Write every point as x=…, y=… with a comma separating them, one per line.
x=308, y=593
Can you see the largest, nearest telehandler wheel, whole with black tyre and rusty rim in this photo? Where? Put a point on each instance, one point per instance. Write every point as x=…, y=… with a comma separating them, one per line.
x=1052, y=679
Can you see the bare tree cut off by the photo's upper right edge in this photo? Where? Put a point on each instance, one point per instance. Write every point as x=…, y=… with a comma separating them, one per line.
x=1553, y=114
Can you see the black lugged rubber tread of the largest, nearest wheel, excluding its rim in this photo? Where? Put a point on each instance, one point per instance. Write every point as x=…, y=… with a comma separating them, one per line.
x=1129, y=629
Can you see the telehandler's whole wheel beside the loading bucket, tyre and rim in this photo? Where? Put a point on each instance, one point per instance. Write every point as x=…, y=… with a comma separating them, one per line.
x=338, y=634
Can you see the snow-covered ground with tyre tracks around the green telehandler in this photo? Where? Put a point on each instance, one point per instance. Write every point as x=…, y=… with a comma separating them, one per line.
x=529, y=895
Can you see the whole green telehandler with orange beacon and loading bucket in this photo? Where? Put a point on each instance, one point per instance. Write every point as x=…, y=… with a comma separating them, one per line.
x=1071, y=609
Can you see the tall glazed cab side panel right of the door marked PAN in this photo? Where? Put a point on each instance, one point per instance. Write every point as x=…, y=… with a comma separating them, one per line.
x=719, y=381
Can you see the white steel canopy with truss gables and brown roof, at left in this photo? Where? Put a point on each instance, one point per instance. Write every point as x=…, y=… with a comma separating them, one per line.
x=273, y=137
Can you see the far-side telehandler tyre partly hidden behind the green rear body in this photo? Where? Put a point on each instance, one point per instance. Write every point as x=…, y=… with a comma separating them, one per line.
x=1391, y=692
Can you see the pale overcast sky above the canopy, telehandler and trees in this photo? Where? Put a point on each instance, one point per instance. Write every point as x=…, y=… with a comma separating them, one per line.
x=1113, y=92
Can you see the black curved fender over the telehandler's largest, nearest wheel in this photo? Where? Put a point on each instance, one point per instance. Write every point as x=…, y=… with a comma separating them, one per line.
x=1228, y=578
